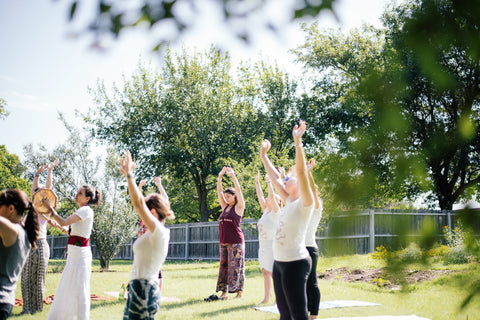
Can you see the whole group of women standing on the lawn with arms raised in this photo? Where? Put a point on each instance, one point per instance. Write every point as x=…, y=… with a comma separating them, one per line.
x=287, y=252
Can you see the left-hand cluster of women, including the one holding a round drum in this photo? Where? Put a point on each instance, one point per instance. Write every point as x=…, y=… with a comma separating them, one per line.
x=23, y=247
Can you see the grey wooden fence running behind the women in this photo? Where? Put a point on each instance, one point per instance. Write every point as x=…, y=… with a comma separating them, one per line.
x=346, y=233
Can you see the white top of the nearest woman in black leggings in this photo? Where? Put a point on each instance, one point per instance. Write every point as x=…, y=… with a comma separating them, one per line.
x=289, y=243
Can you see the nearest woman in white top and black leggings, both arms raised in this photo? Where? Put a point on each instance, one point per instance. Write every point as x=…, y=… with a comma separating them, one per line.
x=292, y=261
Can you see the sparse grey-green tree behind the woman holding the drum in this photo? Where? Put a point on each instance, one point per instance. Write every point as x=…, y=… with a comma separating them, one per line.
x=115, y=221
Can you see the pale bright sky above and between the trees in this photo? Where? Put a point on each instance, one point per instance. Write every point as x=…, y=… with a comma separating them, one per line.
x=44, y=71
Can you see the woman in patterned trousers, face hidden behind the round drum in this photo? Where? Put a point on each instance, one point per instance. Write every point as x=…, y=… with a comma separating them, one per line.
x=35, y=268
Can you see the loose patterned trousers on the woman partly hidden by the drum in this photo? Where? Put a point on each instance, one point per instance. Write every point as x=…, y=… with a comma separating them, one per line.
x=33, y=277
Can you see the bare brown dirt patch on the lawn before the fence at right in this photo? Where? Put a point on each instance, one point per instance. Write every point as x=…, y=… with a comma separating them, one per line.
x=380, y=277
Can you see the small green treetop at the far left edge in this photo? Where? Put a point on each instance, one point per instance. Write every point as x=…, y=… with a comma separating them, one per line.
x=12, y=171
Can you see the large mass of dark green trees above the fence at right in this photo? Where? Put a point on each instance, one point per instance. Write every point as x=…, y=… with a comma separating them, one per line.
x=400, y=116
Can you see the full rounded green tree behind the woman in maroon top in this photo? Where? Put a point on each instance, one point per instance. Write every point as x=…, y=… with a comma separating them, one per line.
x=185, y=121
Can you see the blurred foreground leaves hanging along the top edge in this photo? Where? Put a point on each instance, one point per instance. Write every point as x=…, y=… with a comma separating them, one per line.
x=242, y=19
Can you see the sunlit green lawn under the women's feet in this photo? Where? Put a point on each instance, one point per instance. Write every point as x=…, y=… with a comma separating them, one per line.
x=191, y=282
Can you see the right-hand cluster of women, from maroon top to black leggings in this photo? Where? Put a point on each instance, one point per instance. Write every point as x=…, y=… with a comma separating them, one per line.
x=288, y=251
